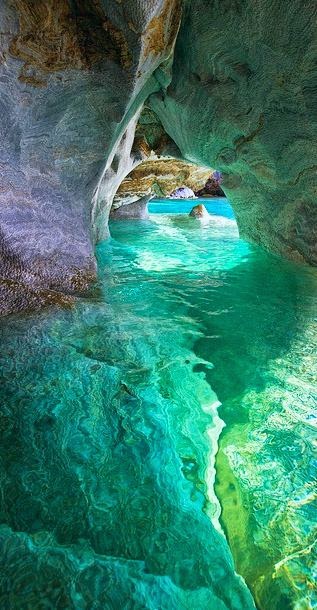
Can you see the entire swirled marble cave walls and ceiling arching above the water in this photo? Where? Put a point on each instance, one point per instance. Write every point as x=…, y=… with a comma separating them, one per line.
x=237, y=92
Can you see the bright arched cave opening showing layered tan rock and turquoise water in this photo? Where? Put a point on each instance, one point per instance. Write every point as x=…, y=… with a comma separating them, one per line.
x=172, y=217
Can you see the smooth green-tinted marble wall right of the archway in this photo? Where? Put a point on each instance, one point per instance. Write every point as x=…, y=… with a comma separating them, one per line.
x=243, y=99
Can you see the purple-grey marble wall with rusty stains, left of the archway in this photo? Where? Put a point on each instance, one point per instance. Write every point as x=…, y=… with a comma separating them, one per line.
x=78, y=77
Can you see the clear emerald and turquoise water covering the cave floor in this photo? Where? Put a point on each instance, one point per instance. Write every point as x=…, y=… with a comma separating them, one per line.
x=112, y=428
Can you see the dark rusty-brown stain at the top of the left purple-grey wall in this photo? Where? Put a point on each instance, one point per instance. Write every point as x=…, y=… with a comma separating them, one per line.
x=56, y=36
